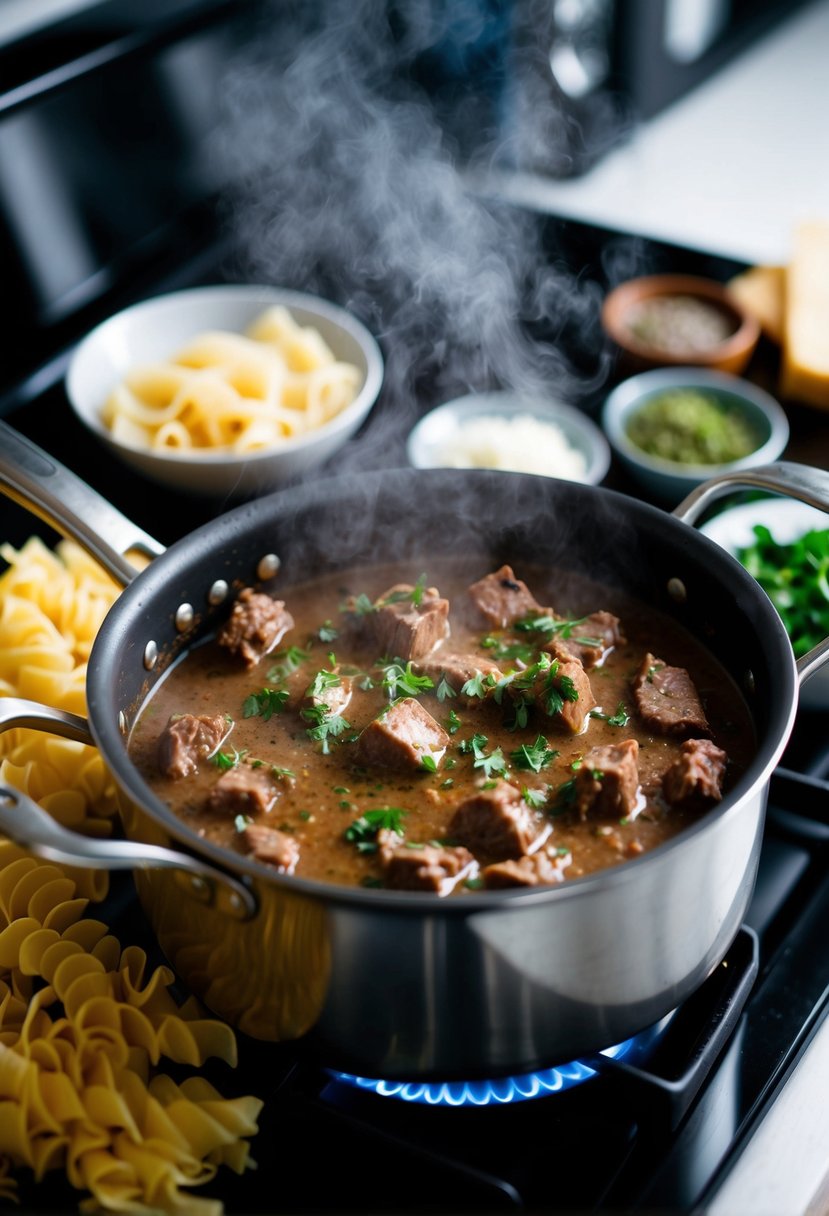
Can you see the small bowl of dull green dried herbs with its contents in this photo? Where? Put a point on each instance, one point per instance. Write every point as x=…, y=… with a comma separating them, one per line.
x=674, y=429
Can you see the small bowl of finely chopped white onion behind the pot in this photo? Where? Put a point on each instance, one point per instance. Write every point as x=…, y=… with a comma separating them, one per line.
x=511, y=432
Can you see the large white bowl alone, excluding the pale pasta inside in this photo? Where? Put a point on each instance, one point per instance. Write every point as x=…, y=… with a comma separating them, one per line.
x=156, y=329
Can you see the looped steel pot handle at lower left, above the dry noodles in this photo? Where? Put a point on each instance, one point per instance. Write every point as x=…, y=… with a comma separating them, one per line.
x=25, y=823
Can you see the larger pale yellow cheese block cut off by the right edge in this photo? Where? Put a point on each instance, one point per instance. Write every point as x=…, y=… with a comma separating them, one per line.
x=805, y=364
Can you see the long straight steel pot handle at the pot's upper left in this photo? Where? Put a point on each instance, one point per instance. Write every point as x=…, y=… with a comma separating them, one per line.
x=43, y=486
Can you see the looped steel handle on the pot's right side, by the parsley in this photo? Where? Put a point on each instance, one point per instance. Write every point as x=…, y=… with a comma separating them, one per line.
x=787, y=478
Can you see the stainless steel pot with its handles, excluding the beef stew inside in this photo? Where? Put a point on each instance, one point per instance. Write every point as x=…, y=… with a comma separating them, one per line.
x=407, y=986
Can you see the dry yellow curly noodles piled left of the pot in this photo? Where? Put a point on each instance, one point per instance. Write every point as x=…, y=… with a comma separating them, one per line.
x=82, y=1026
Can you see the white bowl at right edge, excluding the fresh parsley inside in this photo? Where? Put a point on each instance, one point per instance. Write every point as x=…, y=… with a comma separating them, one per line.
x=787, y=521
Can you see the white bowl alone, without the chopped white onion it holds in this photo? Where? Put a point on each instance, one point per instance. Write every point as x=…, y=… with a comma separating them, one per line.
x=438, y=440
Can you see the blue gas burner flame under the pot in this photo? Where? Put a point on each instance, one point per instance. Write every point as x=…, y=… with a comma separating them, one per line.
x=484, y=1094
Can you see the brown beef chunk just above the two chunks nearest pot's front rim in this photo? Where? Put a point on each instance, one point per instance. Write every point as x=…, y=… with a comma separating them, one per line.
x=498, y=824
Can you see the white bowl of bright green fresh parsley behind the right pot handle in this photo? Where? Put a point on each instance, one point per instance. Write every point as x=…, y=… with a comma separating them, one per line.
x=786, y=547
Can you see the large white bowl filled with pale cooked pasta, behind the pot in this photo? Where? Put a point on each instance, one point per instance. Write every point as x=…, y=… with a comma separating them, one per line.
x=232, y=390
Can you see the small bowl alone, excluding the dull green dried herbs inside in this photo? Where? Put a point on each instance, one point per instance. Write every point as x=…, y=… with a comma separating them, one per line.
x=668, y=481
